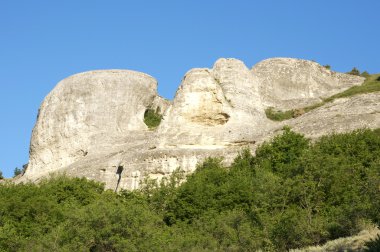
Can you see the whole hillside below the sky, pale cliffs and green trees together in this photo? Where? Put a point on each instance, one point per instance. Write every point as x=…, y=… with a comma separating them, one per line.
x=120, y=168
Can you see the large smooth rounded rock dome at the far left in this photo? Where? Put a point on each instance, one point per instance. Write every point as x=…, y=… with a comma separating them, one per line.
x=84, y=111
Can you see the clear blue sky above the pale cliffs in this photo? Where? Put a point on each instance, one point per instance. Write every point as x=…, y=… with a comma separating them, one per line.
x=42, y=42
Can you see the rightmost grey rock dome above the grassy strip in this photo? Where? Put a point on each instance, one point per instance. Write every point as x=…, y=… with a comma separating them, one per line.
x=287, y=83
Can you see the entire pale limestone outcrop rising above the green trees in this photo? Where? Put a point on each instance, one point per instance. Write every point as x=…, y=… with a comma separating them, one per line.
x=92, y=124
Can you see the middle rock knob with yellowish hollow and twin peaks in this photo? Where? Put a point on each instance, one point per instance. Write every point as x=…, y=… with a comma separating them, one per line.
x=215, y=107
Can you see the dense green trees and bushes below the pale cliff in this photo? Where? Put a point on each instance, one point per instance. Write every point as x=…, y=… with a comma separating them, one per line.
x=292, y=193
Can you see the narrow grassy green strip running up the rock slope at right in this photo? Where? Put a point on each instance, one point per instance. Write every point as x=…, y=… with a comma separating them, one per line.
x=370, y=85
